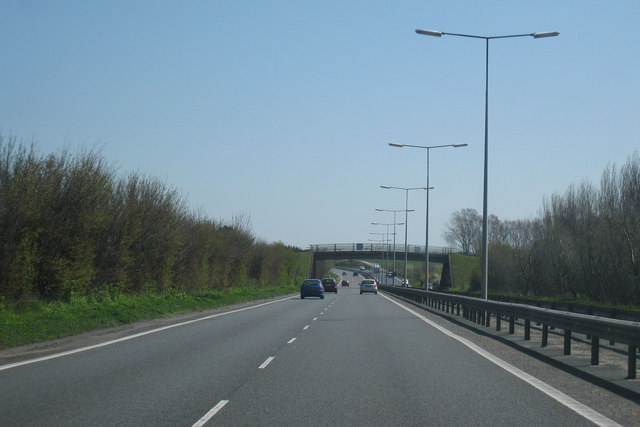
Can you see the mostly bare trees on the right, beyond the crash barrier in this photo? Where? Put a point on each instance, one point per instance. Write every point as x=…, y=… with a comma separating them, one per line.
x=585, y=243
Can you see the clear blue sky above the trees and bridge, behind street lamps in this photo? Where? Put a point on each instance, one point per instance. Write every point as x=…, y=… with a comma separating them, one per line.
x=282, y=110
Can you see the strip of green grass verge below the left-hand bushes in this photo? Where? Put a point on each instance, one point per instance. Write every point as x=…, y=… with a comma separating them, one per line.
x=36, y=321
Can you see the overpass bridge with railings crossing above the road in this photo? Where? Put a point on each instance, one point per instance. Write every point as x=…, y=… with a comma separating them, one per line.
x=383, y=254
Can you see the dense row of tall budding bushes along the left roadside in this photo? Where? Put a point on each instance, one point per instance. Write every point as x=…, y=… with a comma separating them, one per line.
x=69, y=223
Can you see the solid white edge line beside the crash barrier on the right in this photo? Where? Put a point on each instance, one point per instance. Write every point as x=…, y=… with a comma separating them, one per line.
x=581, y=409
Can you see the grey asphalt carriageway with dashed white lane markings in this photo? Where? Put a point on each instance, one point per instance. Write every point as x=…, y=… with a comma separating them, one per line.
x=348, y=359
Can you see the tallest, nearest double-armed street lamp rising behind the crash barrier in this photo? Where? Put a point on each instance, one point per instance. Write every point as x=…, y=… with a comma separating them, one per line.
x=485, y=232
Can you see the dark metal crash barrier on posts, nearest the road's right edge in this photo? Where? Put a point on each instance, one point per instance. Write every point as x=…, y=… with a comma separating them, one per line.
x=480, y=311
